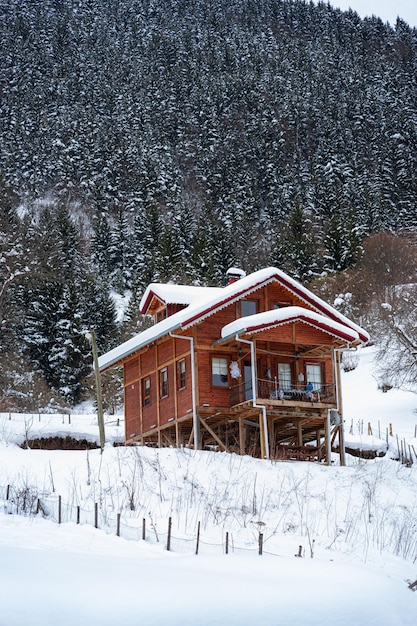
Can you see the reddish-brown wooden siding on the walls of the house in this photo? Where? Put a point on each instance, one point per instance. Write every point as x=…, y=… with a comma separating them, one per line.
x=273, y=346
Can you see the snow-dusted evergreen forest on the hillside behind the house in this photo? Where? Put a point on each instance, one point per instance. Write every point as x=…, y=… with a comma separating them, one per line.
x=158, y=140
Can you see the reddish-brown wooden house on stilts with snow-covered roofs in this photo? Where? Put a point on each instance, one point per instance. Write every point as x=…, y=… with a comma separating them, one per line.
x=253, y=368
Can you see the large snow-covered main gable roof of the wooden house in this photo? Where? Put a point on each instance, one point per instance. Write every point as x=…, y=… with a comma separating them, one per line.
x=211, y=300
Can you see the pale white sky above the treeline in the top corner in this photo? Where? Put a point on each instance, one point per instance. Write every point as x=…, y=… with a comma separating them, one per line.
x=387, y=10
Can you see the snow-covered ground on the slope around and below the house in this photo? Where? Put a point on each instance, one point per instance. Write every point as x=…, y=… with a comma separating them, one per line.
x=356, y=525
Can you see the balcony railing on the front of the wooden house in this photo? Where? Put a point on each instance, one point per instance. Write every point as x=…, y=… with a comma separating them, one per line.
x=271, y=390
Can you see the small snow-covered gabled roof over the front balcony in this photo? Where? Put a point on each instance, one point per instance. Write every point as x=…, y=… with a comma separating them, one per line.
x=270, y=319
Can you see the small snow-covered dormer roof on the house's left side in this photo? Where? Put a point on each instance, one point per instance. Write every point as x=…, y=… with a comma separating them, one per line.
x=176, y=294
